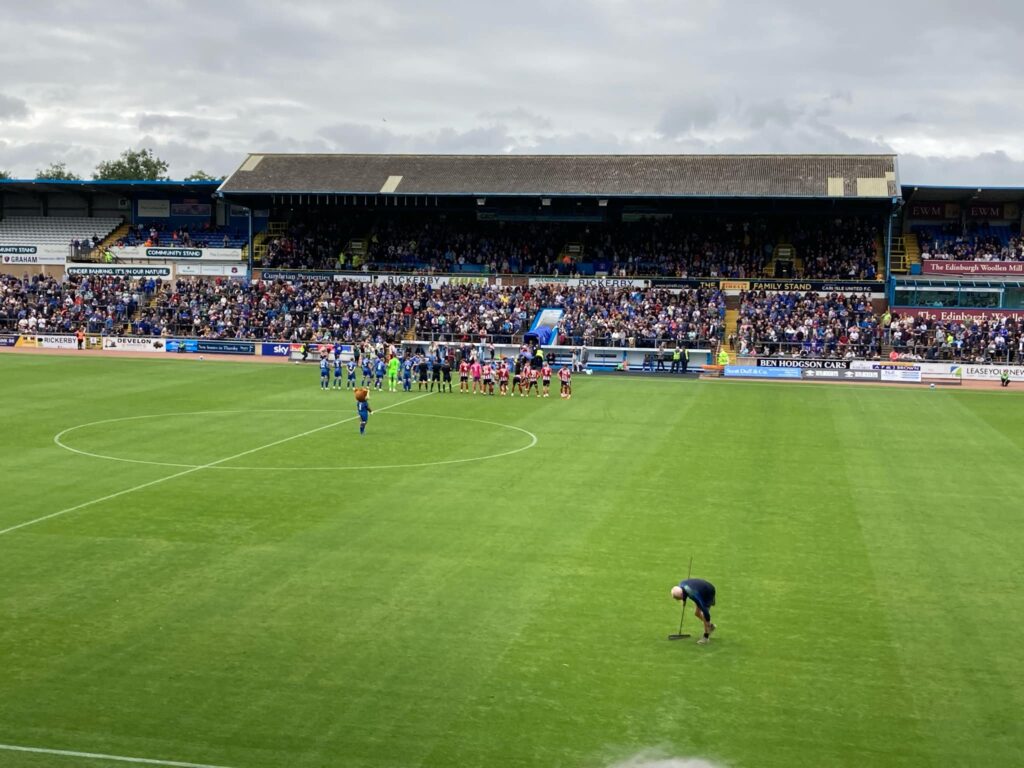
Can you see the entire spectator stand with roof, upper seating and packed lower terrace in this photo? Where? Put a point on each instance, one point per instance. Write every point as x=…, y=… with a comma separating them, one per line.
x=791, y=255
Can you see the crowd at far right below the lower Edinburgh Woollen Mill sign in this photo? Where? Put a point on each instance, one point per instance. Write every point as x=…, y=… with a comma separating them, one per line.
x=979, y=342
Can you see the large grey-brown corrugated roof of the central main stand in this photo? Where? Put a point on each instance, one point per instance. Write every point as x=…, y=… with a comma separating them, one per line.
x=852, y=177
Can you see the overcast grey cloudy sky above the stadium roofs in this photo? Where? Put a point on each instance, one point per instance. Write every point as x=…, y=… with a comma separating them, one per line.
x=203, y=83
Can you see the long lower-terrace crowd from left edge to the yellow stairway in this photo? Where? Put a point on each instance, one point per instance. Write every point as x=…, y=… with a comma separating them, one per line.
x=356, y=311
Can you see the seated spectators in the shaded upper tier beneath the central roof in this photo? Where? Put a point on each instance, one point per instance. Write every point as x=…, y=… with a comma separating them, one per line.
x=706, y=246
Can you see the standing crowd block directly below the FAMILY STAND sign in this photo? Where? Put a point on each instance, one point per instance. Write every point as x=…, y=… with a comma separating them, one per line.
x=807, y=325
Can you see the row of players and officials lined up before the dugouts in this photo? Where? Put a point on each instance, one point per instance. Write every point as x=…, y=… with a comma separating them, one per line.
x=480, y=378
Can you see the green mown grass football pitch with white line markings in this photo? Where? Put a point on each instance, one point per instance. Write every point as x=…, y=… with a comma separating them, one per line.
x=305, y=605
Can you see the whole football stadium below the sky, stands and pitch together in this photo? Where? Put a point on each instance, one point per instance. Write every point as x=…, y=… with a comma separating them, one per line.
x=395, y=460
